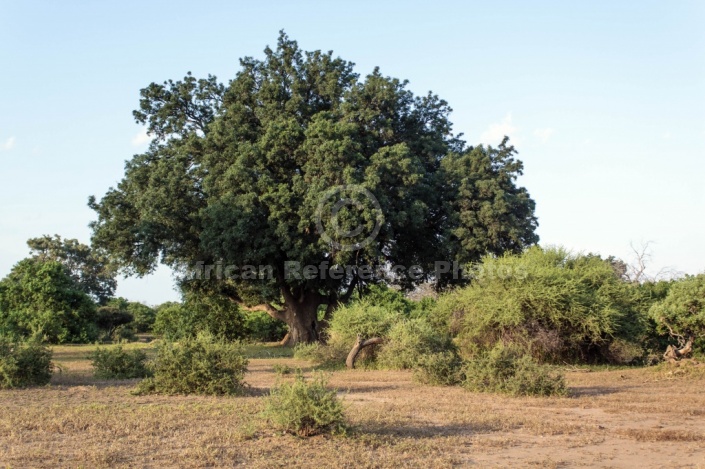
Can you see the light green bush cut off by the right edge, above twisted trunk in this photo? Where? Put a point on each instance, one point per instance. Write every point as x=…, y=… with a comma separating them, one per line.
x=683, y=310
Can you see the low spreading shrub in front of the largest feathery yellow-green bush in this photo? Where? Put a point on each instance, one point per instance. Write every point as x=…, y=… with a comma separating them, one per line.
x=507, y=370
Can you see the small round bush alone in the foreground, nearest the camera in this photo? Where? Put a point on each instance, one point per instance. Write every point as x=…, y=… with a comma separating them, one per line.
x=304, y=407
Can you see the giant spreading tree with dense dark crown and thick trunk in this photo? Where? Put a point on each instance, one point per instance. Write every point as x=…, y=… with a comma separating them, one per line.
x=299, y=159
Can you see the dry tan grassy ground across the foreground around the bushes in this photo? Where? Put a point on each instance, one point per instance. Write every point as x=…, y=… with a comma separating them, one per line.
x=620, y=418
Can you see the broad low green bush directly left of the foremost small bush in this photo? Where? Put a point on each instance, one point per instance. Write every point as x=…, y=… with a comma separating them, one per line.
x=201, y=365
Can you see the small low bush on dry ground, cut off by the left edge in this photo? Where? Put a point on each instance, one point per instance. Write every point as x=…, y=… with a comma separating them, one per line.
x=24, y=364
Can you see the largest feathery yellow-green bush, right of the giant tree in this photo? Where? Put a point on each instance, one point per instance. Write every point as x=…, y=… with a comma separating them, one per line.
x=554, y=305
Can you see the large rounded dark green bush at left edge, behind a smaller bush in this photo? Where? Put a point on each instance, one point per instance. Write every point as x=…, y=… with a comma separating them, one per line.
x=40, y=300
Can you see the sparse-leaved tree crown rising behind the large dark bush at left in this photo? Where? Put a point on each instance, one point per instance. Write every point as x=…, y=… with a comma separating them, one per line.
x=89, y=268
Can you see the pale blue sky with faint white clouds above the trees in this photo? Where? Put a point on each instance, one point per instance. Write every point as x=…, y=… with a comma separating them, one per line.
x=604, y=100
